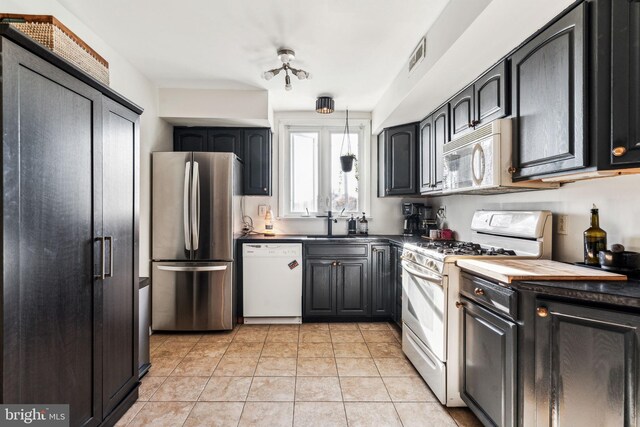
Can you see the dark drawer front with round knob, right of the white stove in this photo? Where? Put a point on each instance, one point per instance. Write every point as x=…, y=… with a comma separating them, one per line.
x=489, y=294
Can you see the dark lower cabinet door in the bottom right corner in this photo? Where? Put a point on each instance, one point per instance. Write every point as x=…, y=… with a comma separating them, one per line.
x=586, y=365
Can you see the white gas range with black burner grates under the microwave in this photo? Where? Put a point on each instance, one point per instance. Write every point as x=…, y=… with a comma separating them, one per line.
x=432, y=327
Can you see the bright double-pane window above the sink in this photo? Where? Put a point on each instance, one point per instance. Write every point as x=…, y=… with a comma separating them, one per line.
x=312, y=178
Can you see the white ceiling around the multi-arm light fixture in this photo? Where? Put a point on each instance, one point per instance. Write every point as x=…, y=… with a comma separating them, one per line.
x=353, y=48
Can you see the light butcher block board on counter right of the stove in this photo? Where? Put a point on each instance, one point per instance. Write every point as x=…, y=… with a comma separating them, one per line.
x=517, y=270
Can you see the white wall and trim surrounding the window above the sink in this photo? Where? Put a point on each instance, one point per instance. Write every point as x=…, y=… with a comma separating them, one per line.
x=385, y=213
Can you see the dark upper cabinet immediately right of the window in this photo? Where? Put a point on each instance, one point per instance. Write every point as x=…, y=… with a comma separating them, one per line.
x=397, y=161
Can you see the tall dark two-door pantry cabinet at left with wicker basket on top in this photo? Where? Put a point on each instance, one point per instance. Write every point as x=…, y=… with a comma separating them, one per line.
x=70, y=237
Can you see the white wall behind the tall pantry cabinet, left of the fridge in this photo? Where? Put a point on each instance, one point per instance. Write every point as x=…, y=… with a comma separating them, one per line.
x=155, y=134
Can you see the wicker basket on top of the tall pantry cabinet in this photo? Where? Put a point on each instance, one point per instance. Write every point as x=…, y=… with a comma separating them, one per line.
x=51, y=33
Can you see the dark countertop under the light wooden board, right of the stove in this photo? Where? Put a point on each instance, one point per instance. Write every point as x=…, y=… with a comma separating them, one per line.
x=616, y=293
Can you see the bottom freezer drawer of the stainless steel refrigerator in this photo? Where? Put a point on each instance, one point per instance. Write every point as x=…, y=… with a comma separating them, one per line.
x=188, y=296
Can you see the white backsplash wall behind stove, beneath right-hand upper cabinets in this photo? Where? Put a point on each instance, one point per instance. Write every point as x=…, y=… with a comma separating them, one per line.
x=617, y=198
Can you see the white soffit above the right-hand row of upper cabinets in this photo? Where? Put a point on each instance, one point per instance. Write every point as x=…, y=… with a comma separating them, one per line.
x=467, y=38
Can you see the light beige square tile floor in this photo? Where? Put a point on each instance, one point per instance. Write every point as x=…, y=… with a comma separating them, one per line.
x=315, y=374
